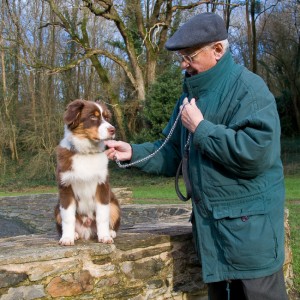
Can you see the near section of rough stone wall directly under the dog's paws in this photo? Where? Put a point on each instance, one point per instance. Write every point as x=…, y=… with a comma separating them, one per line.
x=137, y=266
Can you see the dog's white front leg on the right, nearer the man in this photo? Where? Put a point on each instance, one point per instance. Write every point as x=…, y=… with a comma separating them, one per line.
x=102, y=220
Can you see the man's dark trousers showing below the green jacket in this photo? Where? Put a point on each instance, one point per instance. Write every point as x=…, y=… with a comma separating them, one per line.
x=266, y=288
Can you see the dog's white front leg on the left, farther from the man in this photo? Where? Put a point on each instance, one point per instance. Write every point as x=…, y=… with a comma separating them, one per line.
x=68, y=224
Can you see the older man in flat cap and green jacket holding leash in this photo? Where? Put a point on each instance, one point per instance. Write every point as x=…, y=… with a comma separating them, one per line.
x=234, y=164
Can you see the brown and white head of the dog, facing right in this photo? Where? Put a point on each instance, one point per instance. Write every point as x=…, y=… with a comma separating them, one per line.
x=89, y=120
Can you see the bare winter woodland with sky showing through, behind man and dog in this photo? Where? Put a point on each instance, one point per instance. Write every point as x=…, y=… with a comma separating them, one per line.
x=54, y=51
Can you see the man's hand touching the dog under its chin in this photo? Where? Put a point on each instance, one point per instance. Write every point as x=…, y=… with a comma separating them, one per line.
x=118, y=150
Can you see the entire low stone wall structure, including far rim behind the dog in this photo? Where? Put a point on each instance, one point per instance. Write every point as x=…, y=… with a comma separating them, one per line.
x=153, y=256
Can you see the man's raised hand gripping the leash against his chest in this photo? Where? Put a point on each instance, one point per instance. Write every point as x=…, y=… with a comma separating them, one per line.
x=191, y=116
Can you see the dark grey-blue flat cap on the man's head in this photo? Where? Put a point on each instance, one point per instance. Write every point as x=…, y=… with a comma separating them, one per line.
x=201, y=29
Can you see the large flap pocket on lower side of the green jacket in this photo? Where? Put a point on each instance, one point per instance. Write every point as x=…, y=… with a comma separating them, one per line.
x=246, y=235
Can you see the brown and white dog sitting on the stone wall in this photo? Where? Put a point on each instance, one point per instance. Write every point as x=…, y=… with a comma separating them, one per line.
x=87, y=208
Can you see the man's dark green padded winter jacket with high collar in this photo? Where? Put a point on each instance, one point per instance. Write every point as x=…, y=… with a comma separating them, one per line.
x=235, y=171
